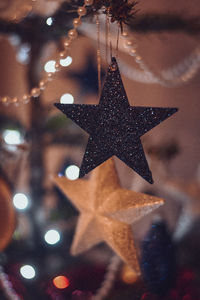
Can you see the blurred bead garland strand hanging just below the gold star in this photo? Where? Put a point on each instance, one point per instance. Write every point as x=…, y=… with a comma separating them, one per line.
x=109, y=279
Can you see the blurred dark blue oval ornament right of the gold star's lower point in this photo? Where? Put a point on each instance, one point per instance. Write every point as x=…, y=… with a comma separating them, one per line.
x=158, y=258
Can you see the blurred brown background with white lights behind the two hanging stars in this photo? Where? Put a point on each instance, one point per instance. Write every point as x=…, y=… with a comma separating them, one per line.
x=37, y=142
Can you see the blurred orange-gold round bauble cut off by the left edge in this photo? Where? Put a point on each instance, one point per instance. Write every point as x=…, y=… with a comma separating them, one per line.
x=7, y=215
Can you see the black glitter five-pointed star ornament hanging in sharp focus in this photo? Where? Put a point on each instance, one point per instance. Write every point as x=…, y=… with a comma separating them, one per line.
x=114, y=126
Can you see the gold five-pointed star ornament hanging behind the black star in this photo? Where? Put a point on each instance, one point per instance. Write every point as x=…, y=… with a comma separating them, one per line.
x=107, y=212
